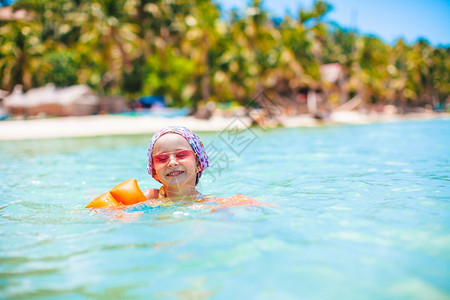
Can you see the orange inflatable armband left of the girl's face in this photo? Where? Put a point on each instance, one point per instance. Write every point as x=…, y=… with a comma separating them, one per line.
x=125, y=193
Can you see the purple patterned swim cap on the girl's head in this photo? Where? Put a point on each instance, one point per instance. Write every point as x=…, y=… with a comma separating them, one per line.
x=191, y=137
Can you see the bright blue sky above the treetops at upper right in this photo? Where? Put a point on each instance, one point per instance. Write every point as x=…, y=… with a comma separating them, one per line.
x=387, y=19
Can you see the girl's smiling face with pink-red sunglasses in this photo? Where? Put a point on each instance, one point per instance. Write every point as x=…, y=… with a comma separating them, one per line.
x=175, y=163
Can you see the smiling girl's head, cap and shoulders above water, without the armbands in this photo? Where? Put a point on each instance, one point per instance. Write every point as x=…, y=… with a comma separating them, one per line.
x=176, y=158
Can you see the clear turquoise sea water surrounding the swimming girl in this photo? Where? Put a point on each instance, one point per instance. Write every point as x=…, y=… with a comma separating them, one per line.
x=363, y=212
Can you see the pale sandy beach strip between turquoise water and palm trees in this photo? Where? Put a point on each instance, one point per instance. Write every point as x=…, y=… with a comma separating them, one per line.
x=103, y=125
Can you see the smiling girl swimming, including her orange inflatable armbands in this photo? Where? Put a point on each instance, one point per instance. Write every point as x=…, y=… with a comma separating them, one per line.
x=176, y=158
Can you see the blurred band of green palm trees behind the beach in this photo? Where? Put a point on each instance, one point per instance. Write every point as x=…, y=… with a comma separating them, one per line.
x=192, y=52
